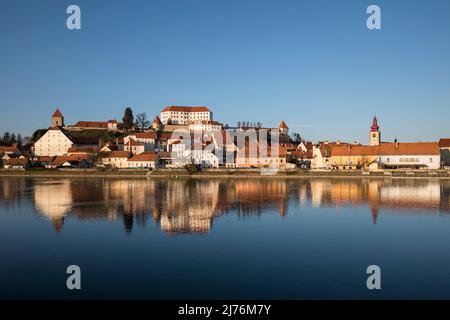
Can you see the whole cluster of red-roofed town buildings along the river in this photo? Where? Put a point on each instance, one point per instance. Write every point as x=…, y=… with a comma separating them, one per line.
x=189, y=135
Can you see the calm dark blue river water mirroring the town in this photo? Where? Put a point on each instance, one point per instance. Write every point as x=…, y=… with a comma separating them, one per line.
x=280, y=239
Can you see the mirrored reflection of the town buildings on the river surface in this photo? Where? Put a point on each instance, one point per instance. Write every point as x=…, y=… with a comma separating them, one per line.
x=190, y=206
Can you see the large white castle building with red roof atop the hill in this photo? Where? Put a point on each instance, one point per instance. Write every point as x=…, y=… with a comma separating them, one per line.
x=185, y=115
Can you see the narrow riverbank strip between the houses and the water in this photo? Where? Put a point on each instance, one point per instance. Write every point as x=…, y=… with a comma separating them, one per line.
x=224, y=173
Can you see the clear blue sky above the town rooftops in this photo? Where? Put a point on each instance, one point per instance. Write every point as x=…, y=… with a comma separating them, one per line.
x=313, y=64
